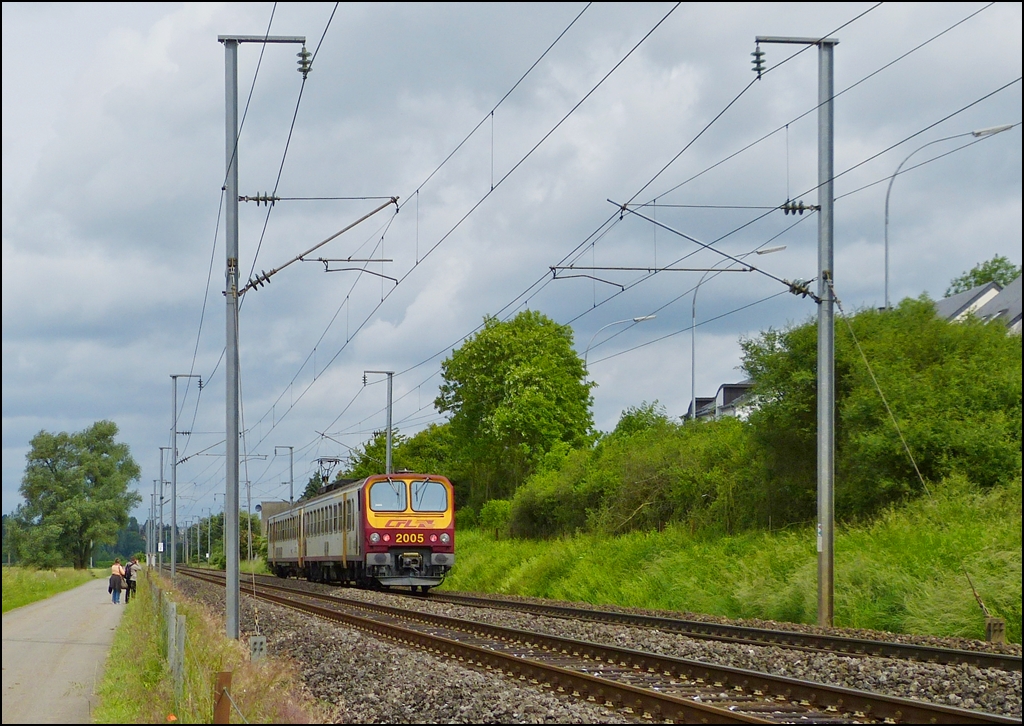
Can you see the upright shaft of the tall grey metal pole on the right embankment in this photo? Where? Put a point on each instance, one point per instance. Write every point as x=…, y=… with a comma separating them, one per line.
x=827, y=338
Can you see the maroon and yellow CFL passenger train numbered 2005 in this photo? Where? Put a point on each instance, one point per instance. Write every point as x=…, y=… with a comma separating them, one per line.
x=385, y=531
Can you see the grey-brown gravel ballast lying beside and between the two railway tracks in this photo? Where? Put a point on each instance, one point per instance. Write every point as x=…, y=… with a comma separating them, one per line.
x=373, y=681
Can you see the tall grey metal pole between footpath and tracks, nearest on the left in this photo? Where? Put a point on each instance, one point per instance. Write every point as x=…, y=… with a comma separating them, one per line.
x=232, y=300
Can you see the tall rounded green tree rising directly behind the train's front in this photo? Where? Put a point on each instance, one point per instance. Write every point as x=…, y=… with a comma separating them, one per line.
x=514, y=391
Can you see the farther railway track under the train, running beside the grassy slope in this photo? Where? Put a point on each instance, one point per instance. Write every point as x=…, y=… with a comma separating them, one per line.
x=748, y=635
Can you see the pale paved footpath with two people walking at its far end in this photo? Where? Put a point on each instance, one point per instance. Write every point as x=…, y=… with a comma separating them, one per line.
x=55, y=652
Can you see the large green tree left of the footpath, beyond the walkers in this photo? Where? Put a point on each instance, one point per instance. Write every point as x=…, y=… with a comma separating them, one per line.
x=76, y=492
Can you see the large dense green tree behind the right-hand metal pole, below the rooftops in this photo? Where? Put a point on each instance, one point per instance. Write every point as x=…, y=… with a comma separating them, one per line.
x=955, y=389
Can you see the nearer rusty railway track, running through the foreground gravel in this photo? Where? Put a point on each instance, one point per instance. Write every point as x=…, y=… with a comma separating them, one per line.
x=646, y=686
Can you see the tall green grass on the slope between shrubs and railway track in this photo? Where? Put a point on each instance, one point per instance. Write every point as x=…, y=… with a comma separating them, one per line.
x=904, y=572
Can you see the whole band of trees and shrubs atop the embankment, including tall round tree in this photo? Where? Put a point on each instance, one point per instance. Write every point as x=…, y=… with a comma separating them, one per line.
x=955, y=389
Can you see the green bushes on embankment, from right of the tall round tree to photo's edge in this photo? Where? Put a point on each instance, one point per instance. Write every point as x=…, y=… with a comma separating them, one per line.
x=954, y=389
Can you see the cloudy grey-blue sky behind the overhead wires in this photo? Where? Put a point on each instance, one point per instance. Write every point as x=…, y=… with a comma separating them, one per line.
x=504, y=130
